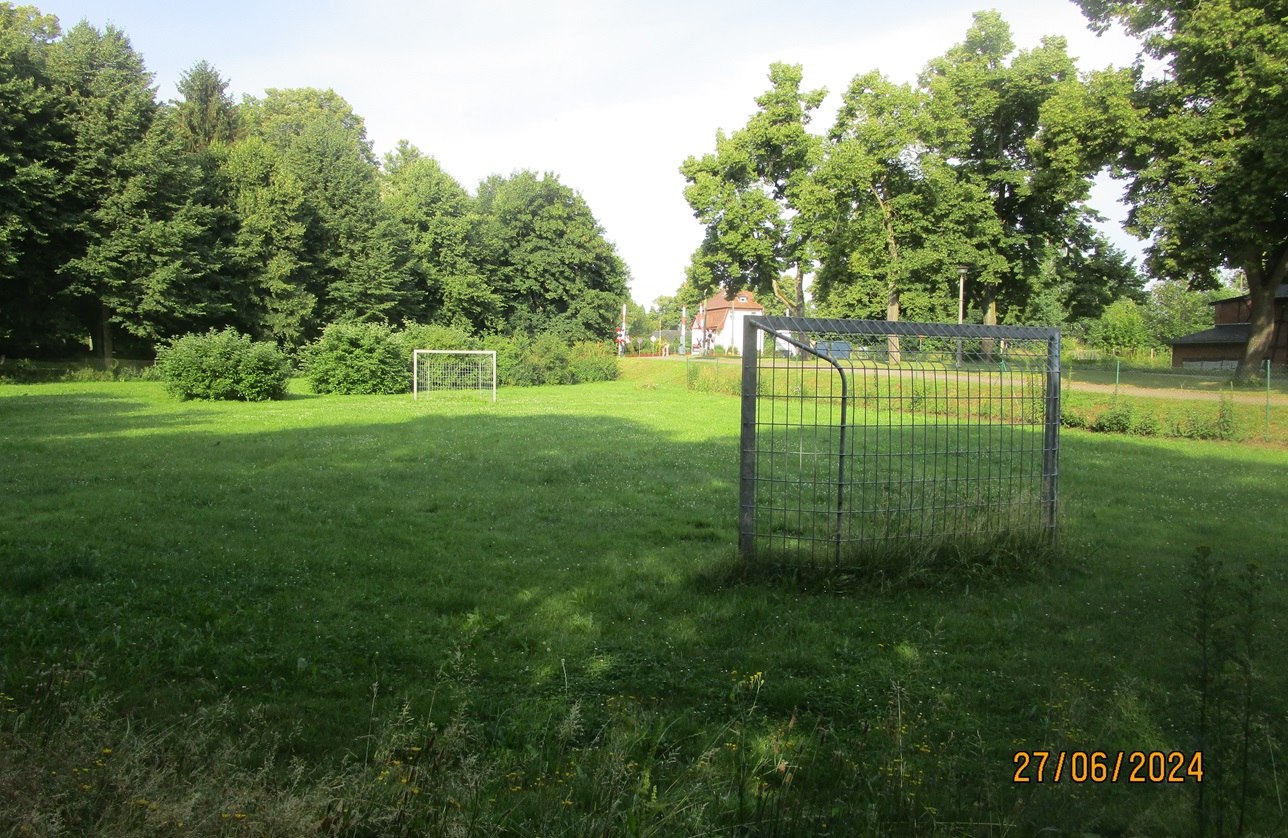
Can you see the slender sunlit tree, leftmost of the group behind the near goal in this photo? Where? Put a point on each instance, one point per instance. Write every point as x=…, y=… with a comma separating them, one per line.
x=749, y=195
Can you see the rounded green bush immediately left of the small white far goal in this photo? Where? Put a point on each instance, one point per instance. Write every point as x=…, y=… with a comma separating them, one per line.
x=357, y=360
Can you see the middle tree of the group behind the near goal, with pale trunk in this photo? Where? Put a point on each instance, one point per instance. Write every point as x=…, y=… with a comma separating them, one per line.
x=900, y=217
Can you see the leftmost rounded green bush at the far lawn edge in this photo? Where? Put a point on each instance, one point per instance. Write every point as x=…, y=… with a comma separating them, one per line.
x=226, y=366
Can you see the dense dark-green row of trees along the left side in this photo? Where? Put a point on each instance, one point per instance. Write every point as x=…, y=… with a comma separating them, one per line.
x=127, y=222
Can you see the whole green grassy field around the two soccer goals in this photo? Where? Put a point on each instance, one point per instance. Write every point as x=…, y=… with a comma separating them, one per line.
x=373, y=616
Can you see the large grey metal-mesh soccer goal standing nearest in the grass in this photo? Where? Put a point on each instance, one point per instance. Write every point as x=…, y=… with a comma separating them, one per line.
x=865, y=438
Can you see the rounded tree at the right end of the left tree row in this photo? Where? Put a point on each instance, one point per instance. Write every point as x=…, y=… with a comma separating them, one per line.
x=548, y=259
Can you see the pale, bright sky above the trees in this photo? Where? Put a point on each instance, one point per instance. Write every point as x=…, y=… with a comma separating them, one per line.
x=610, y=96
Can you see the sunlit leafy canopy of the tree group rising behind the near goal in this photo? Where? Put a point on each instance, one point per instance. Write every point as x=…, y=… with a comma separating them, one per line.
x=914, y=185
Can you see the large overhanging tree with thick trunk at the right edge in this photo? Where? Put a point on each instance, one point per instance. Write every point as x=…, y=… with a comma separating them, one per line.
x=1205, y=146
